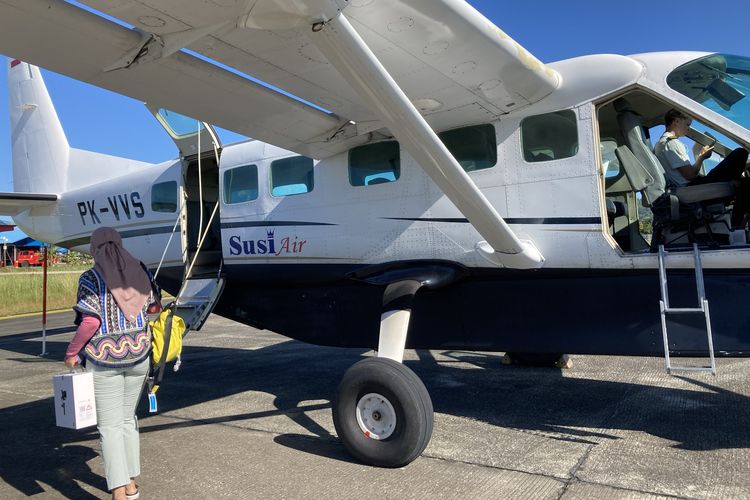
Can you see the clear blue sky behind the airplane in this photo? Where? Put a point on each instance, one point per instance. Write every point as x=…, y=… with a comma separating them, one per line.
x=99, y=120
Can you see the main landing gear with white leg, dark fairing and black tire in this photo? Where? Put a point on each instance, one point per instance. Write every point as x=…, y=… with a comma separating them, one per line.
x=383, y=413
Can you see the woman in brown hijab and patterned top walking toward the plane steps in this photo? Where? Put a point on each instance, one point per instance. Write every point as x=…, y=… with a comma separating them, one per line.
x=114, y=339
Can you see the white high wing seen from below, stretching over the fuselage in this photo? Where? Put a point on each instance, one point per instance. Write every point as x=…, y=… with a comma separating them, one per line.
x=453, y=63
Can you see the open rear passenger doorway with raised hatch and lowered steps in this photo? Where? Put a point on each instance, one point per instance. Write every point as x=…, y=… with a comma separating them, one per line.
x=200, y=150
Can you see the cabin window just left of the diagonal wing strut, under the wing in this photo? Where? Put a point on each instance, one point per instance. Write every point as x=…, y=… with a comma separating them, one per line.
x=377, y=163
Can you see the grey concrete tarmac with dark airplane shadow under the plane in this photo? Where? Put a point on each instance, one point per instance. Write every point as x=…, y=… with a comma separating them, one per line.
x=249, y=416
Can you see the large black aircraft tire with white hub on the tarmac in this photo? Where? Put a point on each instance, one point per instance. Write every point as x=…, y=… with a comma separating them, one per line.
x=383, y=413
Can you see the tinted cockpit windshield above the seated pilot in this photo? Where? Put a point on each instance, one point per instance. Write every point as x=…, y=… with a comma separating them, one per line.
x=720, y=82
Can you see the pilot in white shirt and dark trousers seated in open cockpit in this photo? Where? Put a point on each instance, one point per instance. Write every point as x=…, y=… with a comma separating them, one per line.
x=680, y=172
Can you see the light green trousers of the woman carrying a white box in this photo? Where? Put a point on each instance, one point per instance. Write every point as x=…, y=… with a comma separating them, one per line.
x=117, y=391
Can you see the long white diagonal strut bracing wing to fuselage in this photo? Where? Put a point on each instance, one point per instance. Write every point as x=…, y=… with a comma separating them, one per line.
x=347, y=52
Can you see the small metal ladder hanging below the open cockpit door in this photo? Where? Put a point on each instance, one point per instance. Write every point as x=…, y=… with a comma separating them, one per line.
x=701, y=309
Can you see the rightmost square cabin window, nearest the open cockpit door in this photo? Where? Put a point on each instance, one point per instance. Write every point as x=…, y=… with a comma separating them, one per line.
x=552, y=136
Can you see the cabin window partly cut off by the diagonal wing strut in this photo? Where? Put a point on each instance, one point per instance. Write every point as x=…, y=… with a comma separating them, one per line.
x=475, y=148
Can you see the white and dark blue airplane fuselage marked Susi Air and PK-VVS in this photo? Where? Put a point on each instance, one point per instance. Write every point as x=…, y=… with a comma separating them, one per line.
x=289, y=259
